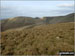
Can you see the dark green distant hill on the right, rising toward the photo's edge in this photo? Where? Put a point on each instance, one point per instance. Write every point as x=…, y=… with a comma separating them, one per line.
x=60, y=19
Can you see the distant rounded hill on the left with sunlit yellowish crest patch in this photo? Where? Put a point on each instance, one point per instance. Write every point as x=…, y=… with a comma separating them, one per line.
x=17, y=22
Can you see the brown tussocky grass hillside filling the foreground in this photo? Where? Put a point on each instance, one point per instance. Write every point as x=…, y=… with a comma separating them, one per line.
x=46, y=39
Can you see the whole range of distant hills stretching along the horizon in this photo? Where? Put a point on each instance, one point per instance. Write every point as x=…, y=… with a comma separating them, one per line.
x=21, y=21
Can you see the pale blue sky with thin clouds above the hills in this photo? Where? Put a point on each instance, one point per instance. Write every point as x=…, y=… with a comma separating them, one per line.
x=35, y=8
